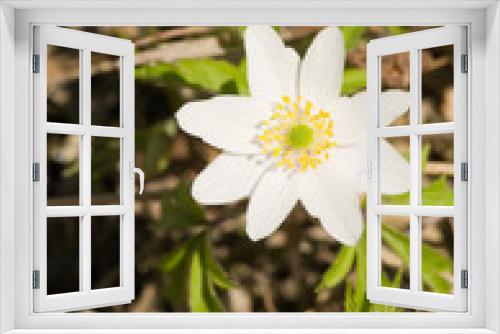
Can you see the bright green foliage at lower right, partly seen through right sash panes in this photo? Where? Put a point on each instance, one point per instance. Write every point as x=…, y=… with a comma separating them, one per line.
x=434, y=264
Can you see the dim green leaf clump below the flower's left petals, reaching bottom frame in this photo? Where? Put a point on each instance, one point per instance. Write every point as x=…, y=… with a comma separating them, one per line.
x=192, y=269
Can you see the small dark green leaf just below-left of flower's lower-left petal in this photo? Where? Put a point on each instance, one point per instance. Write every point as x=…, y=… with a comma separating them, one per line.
x=180, y=209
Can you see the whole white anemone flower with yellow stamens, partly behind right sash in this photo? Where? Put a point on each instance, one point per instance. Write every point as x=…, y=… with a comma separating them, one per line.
x=293, y=139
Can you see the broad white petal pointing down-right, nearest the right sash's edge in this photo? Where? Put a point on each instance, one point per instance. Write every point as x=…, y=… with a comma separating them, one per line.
x=331, y=195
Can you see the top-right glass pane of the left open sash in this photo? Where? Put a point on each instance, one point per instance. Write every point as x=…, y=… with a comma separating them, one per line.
x=105, y=89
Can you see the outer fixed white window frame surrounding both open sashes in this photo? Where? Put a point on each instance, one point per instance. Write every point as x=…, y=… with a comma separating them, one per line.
x=17, y=19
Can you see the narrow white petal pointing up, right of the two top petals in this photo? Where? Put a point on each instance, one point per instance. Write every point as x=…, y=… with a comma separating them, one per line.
x=323, y=66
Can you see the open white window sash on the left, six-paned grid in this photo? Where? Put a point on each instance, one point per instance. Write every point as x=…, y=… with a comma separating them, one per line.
x=86, y=44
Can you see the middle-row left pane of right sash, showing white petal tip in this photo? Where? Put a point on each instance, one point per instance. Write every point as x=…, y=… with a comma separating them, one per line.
x=393, y=178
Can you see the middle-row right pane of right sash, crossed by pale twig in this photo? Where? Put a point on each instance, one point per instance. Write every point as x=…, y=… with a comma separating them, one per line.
x=437, y=175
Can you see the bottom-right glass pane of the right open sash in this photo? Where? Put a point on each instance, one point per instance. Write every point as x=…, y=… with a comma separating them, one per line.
x=437, y=254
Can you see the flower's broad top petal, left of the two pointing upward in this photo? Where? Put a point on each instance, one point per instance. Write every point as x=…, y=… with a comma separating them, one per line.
x=272, y=69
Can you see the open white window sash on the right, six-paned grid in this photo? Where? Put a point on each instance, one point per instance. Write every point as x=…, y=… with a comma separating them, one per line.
x=413, y=44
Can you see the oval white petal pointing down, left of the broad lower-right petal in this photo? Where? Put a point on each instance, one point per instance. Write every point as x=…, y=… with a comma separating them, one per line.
x=271, y=202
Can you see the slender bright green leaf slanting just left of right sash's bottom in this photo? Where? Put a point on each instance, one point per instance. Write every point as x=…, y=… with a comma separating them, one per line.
x=339, y=268
